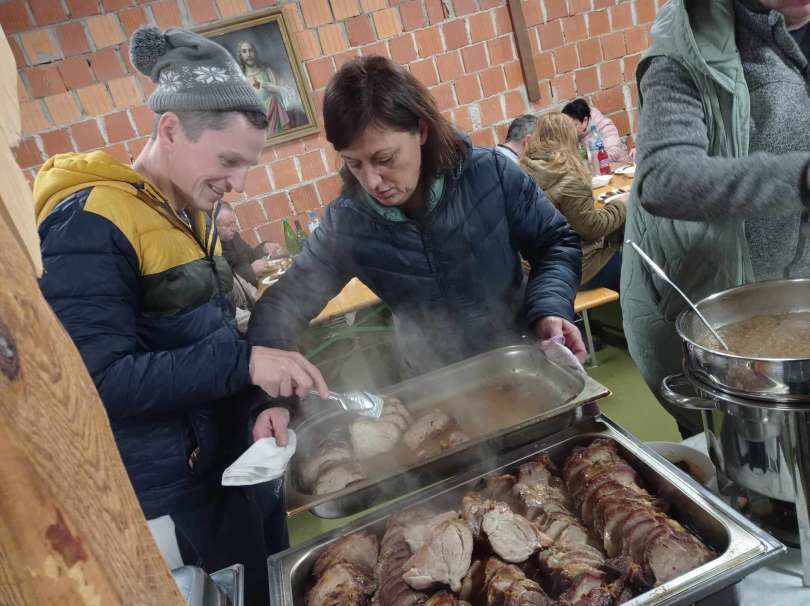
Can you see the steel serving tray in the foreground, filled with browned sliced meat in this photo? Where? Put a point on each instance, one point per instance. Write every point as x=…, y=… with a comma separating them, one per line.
x=742, y=547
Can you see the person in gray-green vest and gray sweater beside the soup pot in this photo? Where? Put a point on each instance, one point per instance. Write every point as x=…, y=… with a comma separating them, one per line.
x=721, y=191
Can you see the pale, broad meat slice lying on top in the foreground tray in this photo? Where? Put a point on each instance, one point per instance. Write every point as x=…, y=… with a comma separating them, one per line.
x=444, y=559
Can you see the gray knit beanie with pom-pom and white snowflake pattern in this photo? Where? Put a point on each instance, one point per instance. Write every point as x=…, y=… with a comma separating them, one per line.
x=192, y=73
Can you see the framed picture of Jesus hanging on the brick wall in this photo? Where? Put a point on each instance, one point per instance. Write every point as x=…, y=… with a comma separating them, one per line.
x=263, y=48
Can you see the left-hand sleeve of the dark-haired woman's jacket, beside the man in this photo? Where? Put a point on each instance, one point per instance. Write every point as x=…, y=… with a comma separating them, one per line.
x=284, y=311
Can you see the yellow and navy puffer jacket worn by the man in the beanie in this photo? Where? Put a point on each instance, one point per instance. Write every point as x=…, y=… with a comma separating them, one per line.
x=145, y=299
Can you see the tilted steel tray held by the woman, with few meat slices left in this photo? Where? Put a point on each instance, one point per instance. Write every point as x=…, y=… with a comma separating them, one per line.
x=555, y=394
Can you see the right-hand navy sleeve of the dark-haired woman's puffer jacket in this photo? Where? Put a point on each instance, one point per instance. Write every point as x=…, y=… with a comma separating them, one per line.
x=546, y=241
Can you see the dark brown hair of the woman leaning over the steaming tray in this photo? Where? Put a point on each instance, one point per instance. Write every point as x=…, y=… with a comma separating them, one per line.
x=375, y=91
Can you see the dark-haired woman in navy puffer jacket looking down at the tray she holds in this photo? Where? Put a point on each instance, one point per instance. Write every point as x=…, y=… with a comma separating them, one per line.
x=433, y=226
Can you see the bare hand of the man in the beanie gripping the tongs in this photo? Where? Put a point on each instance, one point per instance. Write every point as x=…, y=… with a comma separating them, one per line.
x=284, y=373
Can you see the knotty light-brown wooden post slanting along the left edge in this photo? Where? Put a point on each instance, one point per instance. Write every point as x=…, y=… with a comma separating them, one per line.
x=71, y=530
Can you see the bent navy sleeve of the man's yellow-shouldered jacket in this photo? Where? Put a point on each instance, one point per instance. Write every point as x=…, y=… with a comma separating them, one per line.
x=92, y=282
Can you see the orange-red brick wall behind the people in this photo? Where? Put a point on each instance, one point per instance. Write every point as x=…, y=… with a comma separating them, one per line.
x=79, y=92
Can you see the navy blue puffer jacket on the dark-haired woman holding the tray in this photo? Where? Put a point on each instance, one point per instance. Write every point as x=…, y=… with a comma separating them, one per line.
x=453, y=280
